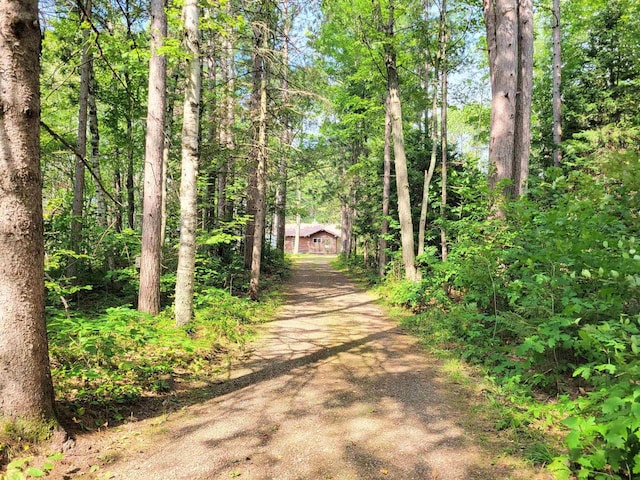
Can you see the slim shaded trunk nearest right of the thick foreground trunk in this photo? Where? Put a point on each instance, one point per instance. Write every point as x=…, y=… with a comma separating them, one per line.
x=84, y=11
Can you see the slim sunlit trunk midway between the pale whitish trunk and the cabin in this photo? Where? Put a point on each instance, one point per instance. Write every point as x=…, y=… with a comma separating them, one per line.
x=260, y=151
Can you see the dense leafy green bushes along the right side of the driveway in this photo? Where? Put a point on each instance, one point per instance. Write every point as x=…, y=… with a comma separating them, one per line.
x=546, y=306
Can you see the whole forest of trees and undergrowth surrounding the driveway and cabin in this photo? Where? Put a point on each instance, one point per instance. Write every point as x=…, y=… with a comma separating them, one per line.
x=479, y=158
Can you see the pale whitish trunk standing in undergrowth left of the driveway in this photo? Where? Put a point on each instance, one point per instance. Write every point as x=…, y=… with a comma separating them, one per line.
x=188, y=183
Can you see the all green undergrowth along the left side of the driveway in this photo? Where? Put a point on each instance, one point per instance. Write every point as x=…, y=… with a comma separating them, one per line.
x=112, y=364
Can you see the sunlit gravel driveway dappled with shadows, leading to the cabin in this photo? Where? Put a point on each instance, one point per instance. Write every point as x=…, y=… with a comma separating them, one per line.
x=332, y=390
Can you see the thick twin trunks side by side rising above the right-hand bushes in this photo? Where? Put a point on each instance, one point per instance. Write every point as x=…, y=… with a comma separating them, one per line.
x=509, y=25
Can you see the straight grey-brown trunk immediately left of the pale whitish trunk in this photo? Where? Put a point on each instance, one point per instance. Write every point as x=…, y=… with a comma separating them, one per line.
x=151, y=255
